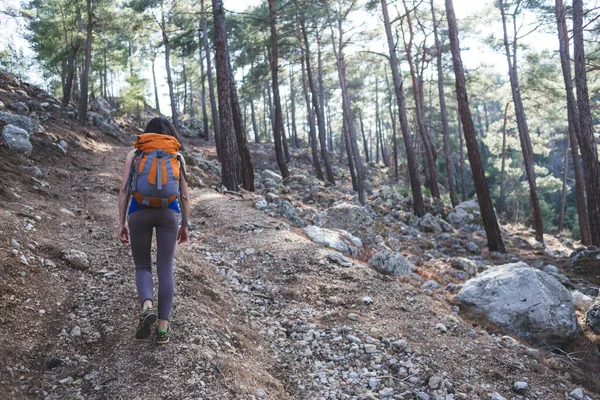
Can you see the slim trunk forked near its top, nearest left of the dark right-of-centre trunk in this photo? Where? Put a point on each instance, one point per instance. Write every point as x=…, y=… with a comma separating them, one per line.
x=338, y=51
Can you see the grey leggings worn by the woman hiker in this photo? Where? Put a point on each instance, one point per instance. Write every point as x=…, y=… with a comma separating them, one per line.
x=141, y=228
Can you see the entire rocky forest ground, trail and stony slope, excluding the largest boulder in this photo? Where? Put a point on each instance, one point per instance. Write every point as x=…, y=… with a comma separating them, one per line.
x=261, y=310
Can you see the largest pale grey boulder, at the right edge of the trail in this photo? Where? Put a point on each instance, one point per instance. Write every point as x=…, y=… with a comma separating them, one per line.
x=525, y=301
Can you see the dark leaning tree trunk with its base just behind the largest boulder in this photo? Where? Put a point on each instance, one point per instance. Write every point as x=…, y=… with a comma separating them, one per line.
x=490, y=222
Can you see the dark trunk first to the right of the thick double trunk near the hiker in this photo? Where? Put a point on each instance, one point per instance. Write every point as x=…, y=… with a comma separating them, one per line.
x=278, y=117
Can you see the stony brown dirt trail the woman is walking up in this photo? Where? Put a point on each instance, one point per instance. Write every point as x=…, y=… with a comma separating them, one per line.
x=260, y=311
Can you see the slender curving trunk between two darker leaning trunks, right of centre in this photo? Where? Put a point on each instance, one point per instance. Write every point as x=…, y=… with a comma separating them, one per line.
x=417, y=93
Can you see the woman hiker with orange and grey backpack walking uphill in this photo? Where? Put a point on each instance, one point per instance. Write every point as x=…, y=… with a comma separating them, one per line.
x=154, y=177
